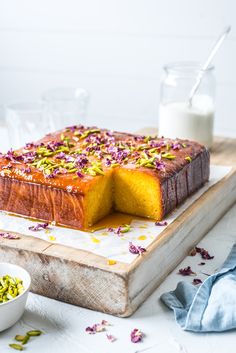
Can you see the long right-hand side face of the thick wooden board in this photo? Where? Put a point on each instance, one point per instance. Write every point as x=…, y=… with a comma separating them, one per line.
x=178, y=239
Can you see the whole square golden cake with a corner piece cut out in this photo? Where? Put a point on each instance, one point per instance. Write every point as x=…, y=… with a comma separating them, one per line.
x=79, y=175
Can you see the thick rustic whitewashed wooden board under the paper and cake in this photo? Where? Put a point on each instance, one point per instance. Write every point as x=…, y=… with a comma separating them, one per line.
x=83, y=278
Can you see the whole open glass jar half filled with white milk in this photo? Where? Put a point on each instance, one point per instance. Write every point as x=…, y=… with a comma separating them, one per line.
x=178, y=118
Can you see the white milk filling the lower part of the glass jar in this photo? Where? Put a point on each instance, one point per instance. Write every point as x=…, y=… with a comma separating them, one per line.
x=194, y=123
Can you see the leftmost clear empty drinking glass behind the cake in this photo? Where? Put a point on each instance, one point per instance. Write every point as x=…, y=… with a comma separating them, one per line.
x=25, y=122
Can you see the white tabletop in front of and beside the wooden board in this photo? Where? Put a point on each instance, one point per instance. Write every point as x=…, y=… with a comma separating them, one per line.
x=64, y=325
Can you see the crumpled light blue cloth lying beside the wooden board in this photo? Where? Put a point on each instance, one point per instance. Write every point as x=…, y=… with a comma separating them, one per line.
x=212, y=306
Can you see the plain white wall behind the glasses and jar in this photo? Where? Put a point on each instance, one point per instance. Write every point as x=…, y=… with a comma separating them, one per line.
x=116, y=50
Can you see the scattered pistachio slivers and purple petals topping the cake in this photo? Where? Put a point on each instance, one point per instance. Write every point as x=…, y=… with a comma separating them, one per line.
x=81, y=151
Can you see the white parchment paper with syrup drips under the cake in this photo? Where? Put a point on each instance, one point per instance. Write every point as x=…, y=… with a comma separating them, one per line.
x=103, y=242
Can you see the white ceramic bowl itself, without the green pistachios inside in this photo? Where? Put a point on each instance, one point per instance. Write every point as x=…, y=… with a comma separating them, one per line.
x=11, y=311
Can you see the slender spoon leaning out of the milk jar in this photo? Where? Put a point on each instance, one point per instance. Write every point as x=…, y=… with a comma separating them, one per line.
x=207, y=63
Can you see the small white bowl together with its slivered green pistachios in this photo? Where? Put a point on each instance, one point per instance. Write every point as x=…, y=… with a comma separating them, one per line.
x=14, y=288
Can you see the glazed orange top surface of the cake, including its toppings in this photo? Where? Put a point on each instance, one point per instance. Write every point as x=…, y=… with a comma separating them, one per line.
x=72, y=158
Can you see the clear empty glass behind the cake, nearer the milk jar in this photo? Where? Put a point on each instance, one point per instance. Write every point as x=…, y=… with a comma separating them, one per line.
x=65, y=106
